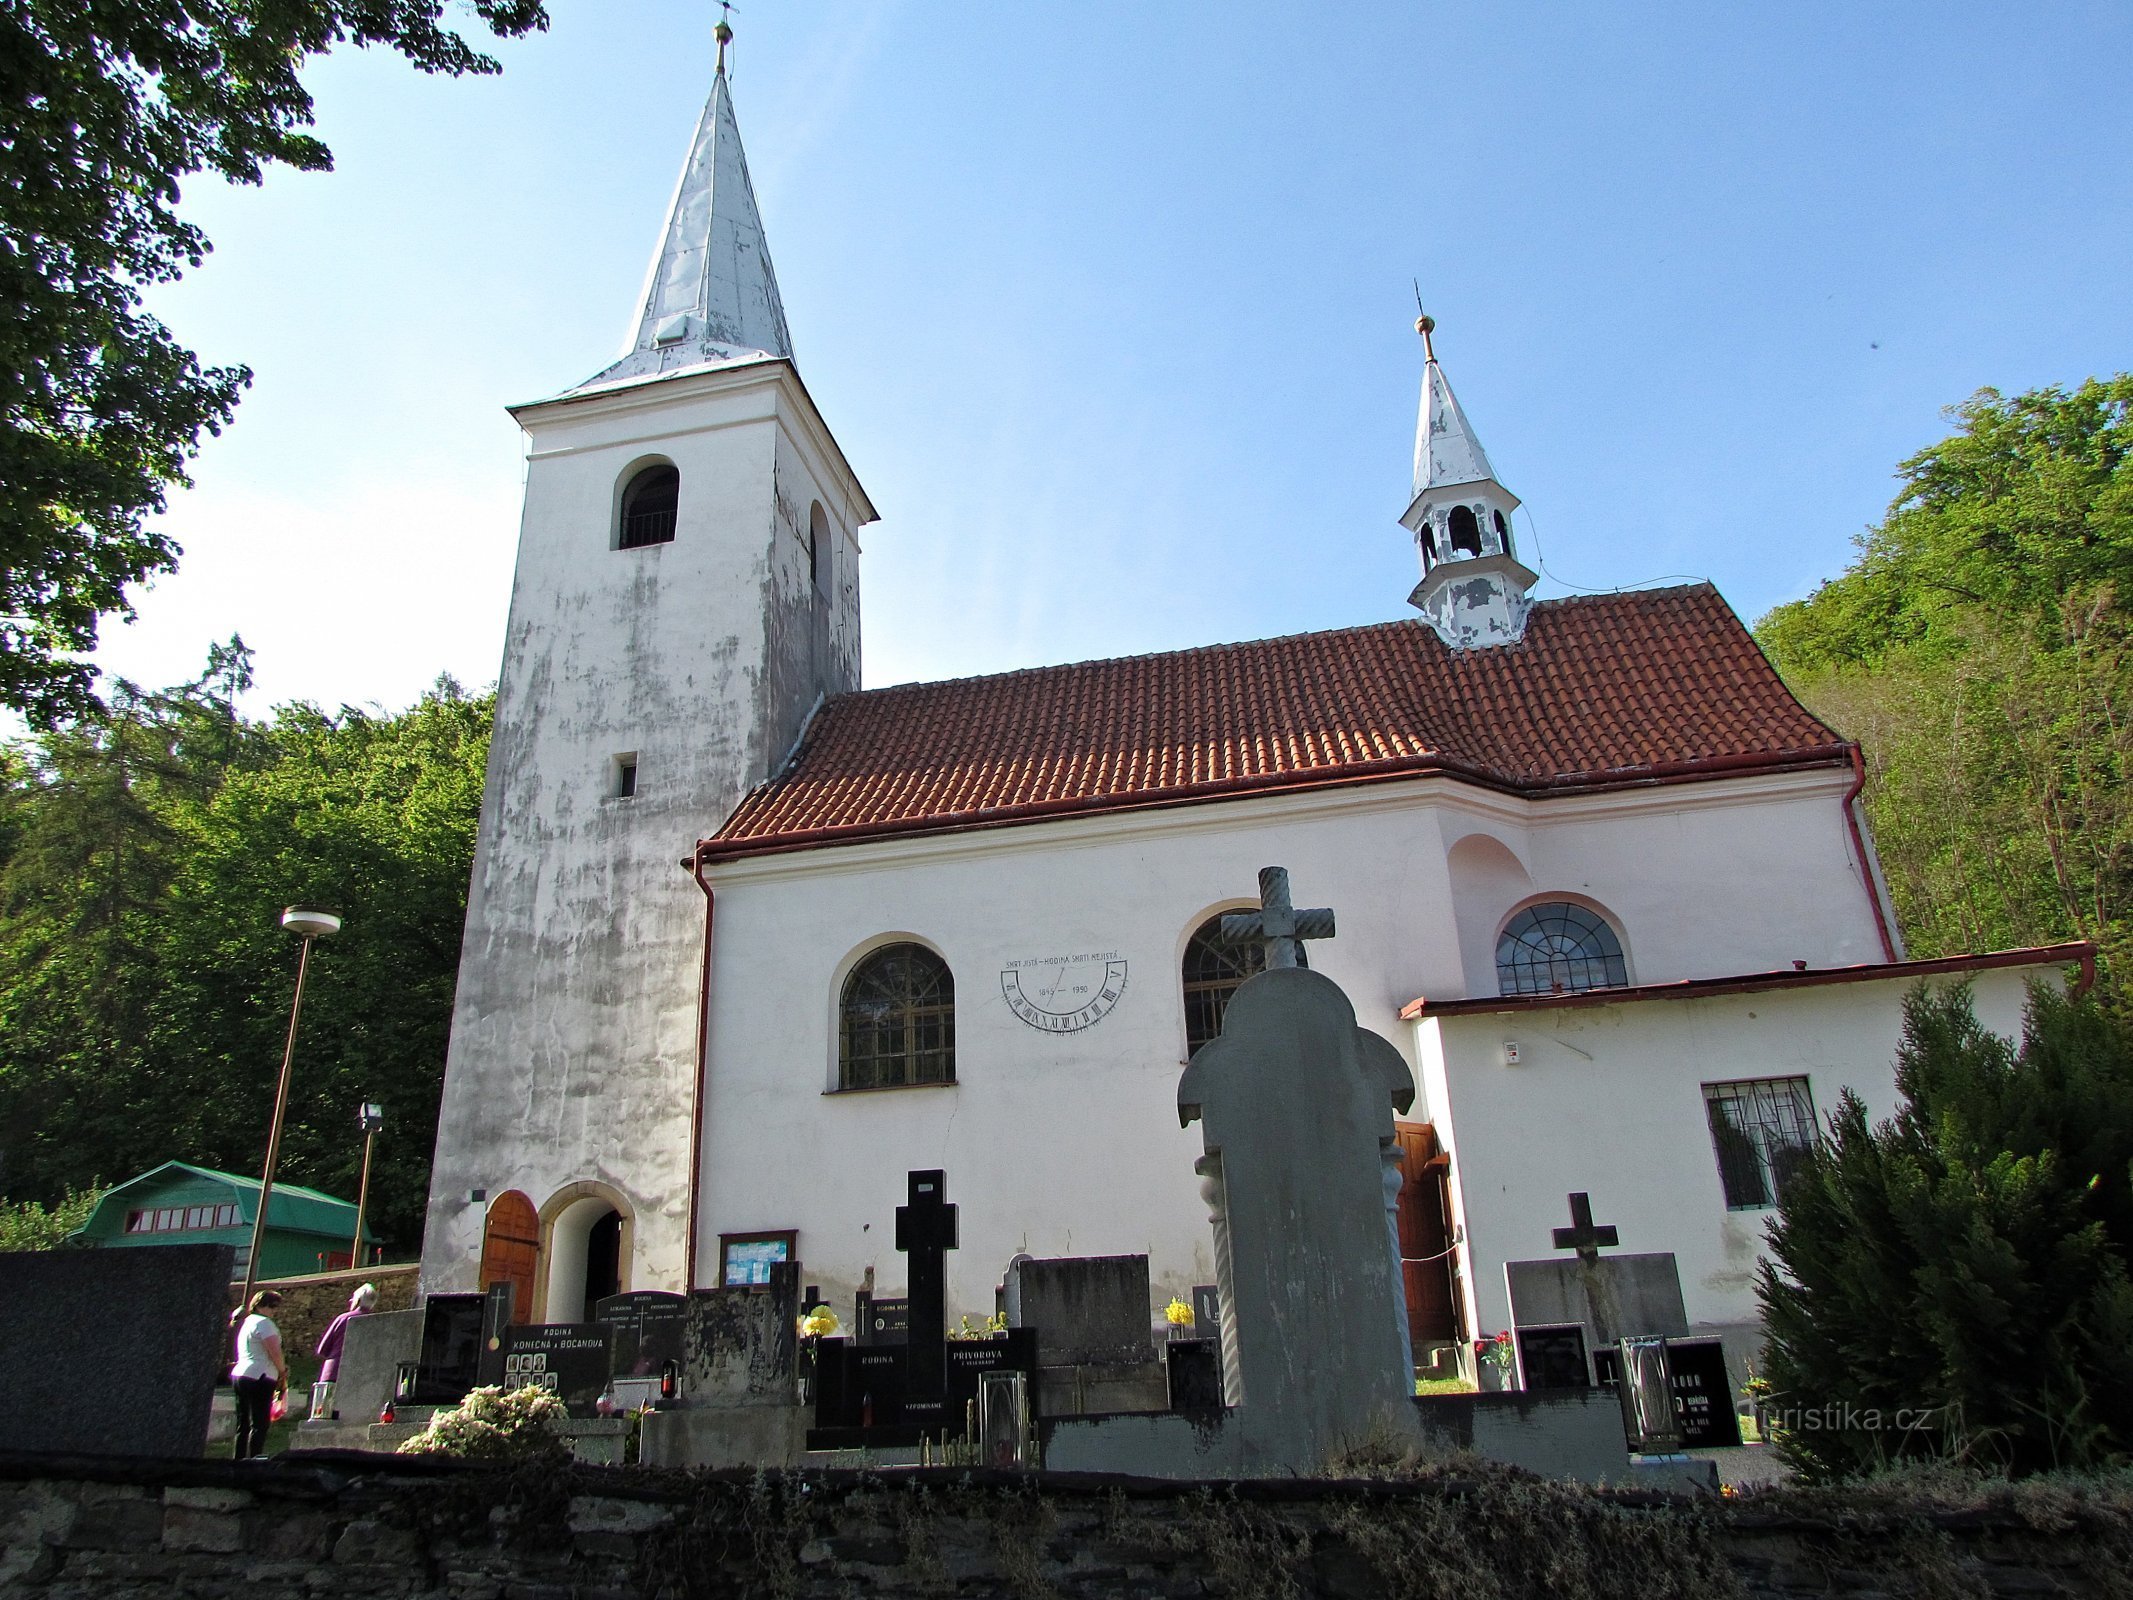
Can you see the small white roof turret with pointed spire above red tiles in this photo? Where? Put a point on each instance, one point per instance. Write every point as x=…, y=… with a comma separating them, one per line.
x=1475, y=590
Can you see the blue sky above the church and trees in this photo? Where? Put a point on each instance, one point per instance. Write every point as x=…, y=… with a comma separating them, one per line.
x=1112, y=308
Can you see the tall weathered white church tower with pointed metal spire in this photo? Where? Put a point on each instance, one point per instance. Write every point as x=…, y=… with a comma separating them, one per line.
x=688, y=594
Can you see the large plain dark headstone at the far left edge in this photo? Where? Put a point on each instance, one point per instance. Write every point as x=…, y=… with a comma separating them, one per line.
x=155, y=1328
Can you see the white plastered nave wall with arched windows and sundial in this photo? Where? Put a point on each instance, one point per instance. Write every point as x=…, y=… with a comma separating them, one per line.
x=1070, y=1145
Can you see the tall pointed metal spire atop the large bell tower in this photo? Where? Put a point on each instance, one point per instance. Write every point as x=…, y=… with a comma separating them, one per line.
x=711, y=293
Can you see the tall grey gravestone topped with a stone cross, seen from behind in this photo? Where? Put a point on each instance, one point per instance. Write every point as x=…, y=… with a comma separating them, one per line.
x=1296, y=1108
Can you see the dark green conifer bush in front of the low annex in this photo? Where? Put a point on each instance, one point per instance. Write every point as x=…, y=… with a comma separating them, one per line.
x=1953, y=1283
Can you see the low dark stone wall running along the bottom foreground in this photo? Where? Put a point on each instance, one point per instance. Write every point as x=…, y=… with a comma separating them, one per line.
x=131, y=1531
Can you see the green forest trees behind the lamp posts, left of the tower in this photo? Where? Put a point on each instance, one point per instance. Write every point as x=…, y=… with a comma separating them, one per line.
x=144, y=974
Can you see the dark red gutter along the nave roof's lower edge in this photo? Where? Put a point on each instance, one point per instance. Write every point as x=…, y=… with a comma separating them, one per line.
x=1400, y=767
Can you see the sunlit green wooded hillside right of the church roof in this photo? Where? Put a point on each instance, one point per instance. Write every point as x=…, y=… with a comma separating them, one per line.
x=1980, y=647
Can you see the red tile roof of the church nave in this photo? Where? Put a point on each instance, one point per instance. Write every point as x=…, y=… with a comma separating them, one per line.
x=1603, y=692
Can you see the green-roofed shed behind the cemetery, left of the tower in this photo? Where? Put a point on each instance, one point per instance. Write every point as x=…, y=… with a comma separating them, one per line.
x=182, y=1204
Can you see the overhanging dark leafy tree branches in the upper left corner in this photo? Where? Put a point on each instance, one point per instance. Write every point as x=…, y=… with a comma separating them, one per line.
x=110, y=108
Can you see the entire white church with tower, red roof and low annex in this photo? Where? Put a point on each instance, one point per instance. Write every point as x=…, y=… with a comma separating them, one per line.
x=748, y=944
